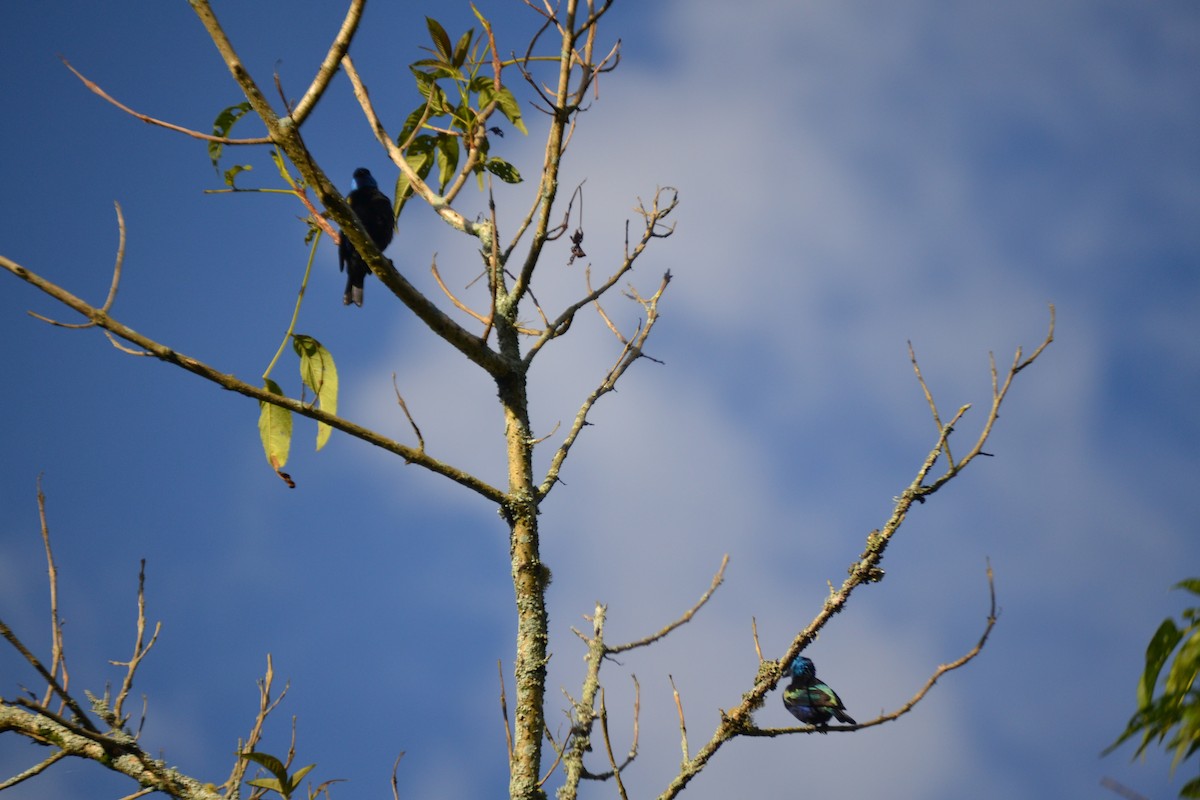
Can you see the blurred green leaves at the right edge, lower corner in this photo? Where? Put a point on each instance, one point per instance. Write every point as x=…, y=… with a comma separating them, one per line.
x=1178, y=708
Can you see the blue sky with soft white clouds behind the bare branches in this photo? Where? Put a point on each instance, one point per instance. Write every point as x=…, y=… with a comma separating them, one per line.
x=854, y=176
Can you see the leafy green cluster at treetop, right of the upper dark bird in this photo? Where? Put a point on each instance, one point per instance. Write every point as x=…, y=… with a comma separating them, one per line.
x=455, y=94
